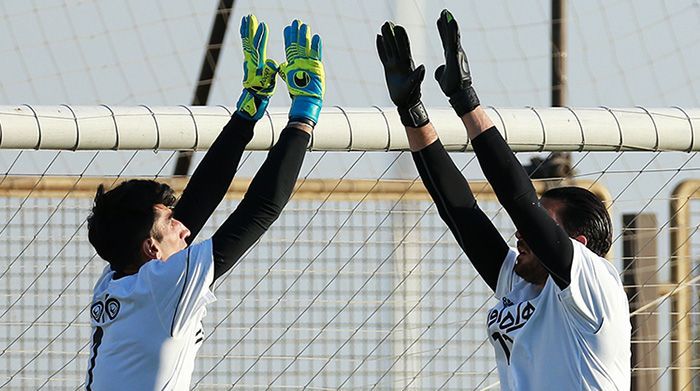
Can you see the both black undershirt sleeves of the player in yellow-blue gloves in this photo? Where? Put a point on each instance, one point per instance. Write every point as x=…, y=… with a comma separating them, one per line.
x=268, y=192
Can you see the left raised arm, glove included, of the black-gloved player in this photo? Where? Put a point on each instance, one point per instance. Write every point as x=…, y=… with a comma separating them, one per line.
x=472, y=229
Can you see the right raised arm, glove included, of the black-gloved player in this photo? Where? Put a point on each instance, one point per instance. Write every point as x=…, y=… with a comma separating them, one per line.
x=509, y=180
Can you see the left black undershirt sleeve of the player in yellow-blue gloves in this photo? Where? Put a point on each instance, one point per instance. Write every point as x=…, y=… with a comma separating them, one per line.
x=212, y=178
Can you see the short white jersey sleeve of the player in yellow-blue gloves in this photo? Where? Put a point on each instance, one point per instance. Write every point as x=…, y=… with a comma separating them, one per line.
x=181, y=285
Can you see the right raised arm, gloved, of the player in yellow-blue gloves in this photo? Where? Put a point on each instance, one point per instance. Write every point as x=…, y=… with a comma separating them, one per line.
x=272, y=186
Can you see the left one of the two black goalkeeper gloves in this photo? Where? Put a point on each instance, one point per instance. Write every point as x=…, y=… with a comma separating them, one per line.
x=402, y=78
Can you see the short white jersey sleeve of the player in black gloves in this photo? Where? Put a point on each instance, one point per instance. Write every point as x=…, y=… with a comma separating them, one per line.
x=594, y=289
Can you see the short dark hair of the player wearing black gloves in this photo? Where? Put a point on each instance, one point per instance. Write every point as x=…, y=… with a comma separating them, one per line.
x=583, y=213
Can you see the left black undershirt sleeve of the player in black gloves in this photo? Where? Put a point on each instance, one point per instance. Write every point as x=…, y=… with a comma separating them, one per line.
x=472, y=229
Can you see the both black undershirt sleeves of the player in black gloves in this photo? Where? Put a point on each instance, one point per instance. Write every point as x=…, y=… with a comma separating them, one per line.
x=473, y=230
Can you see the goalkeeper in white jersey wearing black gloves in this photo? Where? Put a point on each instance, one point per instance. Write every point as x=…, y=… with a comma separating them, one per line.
x=562, y=317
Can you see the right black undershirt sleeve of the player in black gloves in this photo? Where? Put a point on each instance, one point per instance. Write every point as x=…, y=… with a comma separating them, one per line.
x=515, y=192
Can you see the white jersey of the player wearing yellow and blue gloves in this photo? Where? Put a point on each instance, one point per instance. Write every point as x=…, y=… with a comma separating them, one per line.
x=147, y=327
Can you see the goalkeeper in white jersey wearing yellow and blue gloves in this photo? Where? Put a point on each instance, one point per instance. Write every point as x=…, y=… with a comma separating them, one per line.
x=148, y=305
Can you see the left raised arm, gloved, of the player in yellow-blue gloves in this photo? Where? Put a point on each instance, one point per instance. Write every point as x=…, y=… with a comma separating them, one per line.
x=213, y=176
